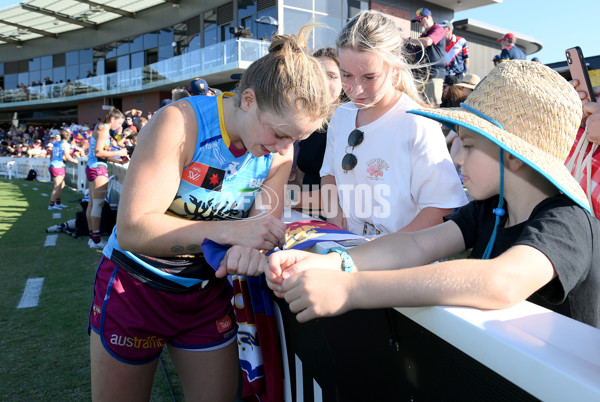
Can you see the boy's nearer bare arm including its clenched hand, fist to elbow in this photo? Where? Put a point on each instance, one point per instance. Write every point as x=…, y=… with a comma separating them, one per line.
x=485, y=284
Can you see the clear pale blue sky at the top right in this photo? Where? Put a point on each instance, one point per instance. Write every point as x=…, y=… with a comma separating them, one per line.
x=557, y=24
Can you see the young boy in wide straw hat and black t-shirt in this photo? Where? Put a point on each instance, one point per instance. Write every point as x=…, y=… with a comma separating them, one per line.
x=530, y=230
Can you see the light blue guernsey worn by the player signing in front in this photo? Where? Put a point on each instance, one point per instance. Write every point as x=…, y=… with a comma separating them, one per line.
x=218, y=184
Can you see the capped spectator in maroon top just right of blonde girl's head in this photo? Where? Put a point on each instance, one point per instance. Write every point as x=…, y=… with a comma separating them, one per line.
x=433, y=40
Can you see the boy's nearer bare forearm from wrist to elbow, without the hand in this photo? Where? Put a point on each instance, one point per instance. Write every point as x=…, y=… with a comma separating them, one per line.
x=485, y=284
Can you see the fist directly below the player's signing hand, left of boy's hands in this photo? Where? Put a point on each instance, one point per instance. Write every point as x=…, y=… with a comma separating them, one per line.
x=242, y=260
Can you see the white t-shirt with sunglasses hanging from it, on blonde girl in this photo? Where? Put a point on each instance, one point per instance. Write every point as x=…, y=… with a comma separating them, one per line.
x=403, y=167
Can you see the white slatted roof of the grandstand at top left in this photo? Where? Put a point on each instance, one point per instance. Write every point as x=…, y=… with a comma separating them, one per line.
x=34, y=19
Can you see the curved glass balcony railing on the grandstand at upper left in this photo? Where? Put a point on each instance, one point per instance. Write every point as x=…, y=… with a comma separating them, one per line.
x=223, y=56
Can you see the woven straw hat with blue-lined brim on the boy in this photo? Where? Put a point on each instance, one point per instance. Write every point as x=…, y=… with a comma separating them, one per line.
x=528, y=110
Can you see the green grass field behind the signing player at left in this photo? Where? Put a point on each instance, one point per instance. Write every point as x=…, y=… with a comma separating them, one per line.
x=45, y=349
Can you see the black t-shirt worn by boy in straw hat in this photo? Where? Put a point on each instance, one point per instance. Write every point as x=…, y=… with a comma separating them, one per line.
x=564, y=232
